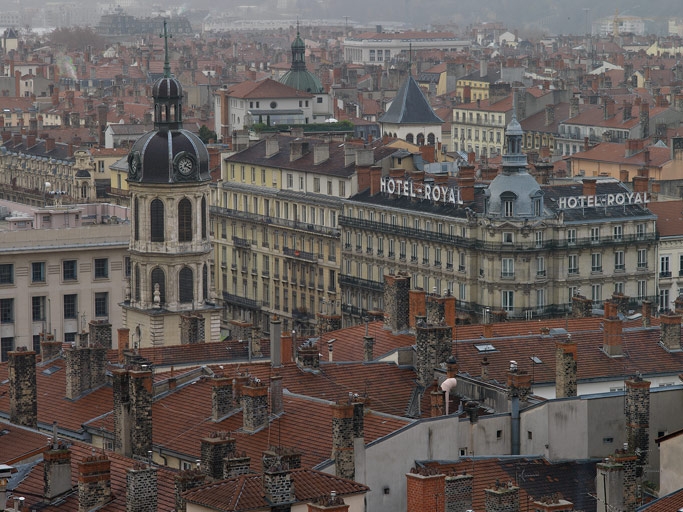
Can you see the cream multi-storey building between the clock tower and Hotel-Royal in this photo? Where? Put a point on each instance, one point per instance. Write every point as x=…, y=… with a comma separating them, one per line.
x=275, y=226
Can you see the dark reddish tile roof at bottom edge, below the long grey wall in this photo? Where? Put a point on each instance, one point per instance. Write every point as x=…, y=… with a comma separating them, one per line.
x=535, y=477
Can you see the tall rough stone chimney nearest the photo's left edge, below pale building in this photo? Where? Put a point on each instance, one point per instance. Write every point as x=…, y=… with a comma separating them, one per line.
x=22, y=388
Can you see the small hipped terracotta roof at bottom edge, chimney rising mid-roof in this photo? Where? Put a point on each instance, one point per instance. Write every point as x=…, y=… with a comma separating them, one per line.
x=246, y=492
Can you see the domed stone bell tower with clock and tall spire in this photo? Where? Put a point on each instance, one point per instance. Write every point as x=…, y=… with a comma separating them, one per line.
x=169, y=299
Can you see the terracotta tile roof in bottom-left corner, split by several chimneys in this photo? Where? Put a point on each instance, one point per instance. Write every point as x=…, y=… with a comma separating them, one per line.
x=32, y=486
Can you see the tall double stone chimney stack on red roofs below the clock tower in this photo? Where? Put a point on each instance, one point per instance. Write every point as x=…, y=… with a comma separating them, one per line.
x=133, y=397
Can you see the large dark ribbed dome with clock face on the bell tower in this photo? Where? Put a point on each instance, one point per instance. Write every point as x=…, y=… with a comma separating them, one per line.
x=156, y=156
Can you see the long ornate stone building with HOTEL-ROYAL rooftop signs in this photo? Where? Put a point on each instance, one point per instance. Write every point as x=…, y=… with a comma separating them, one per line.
x=511, y=248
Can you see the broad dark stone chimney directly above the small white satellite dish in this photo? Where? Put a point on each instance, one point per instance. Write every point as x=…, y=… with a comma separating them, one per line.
x=433, y=347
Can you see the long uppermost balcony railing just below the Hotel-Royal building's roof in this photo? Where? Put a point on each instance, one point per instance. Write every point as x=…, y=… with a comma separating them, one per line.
x=458, y=241
